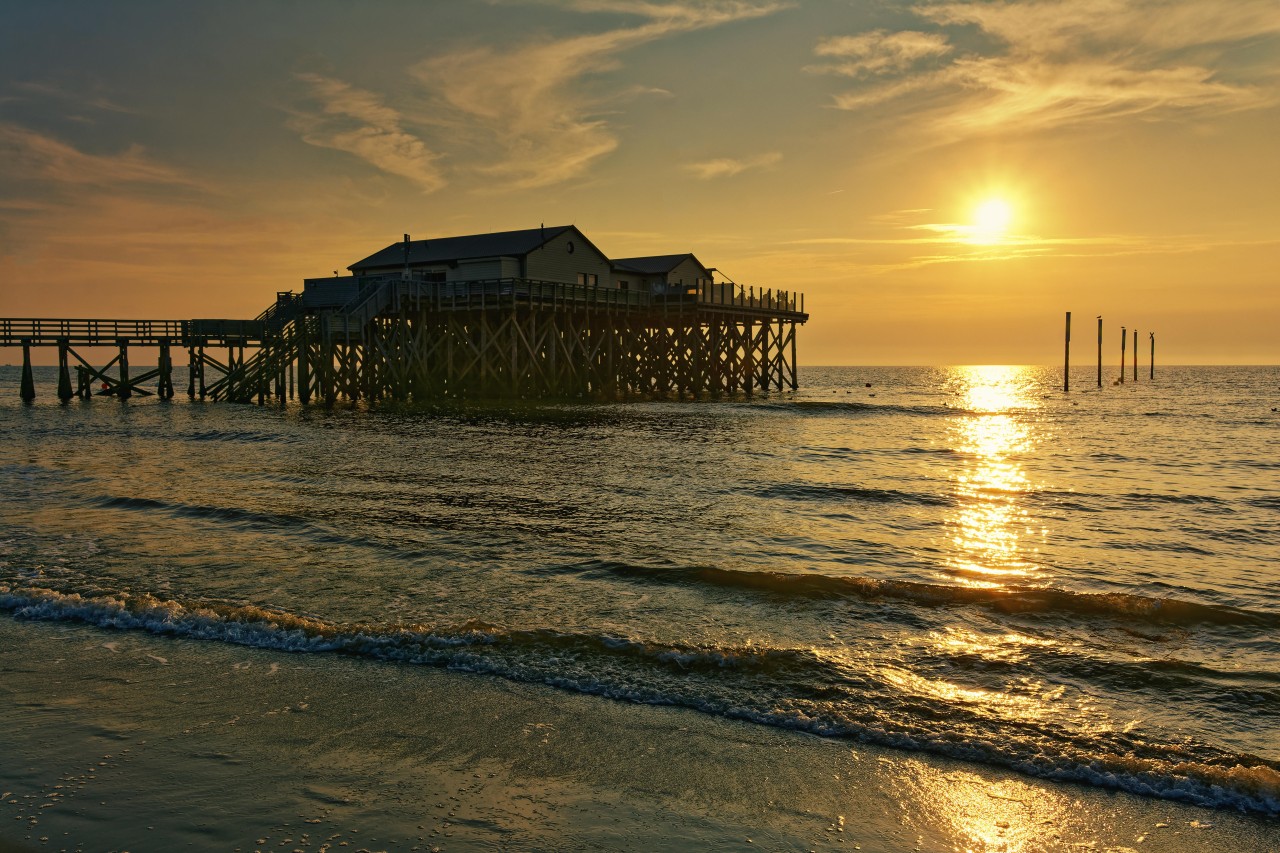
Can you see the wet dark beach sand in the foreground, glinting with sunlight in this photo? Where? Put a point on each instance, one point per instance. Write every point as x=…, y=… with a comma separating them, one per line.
x=132, y=742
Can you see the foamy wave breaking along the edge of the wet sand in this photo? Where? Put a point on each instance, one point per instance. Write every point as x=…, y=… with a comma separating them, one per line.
x=792, y=688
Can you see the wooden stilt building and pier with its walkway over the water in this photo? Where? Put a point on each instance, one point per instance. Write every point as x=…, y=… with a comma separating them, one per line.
x=537, y=313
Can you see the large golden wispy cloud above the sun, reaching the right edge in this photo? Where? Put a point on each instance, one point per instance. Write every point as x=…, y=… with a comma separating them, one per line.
x=1062, y=62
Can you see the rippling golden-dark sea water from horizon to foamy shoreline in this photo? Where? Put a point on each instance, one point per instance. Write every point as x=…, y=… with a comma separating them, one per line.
x=963, y=562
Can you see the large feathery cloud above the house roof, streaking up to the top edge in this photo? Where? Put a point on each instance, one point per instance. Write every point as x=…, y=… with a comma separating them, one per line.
x=531, y=101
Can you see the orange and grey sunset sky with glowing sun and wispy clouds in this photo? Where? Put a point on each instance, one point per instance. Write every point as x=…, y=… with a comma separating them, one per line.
x=943, y=180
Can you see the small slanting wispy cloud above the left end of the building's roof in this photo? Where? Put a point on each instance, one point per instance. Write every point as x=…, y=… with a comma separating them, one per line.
x=359, y=122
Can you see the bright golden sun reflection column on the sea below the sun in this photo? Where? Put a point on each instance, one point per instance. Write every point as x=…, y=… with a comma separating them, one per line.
x=990, y=521
